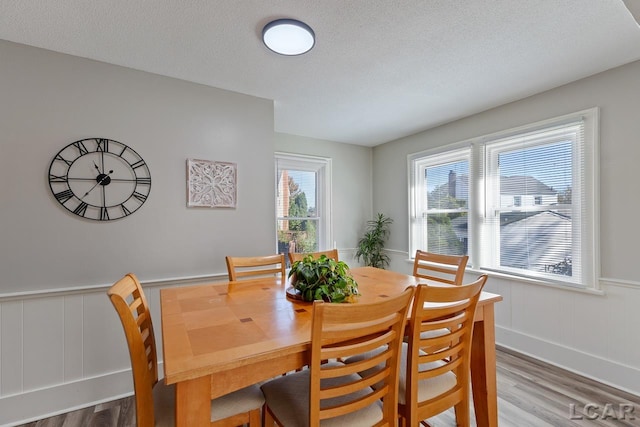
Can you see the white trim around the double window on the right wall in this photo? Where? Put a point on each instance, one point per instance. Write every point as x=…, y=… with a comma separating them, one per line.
x=590, y=269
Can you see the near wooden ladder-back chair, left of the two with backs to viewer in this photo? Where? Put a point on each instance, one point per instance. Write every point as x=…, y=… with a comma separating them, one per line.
x=333, y=393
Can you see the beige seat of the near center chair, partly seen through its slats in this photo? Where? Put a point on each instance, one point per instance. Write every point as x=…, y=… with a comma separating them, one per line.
x=288, y=399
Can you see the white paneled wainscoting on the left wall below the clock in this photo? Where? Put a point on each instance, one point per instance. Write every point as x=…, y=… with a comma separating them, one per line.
x=65, y=350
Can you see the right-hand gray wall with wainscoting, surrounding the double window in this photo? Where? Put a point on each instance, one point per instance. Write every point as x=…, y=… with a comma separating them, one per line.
x=592, y=334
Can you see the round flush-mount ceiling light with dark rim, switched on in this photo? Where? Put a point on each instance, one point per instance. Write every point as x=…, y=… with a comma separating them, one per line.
x=288, y=37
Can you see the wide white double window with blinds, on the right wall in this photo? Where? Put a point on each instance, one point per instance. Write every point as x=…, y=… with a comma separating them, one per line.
x=521, y=202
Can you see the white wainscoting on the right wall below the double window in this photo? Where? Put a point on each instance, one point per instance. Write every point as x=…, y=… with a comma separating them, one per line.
x=592, y=335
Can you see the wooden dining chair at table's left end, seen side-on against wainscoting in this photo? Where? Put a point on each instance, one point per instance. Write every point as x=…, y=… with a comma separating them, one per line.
x=155, y=401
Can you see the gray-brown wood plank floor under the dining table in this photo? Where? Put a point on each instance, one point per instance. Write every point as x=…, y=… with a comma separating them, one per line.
x=530, y=394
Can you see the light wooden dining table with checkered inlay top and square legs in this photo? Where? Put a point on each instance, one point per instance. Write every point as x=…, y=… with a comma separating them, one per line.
x=215, y=341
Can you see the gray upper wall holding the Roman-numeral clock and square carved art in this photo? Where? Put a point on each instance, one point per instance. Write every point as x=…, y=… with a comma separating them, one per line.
x=50, y=100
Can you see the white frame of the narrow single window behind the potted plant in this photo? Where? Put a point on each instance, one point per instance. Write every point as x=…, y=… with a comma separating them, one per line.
x=322, y=167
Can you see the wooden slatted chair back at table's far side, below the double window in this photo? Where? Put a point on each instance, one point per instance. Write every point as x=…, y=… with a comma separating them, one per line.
x=441, y=268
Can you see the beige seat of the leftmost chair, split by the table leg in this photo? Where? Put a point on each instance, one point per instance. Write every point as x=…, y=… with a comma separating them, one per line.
x=243, y=400
